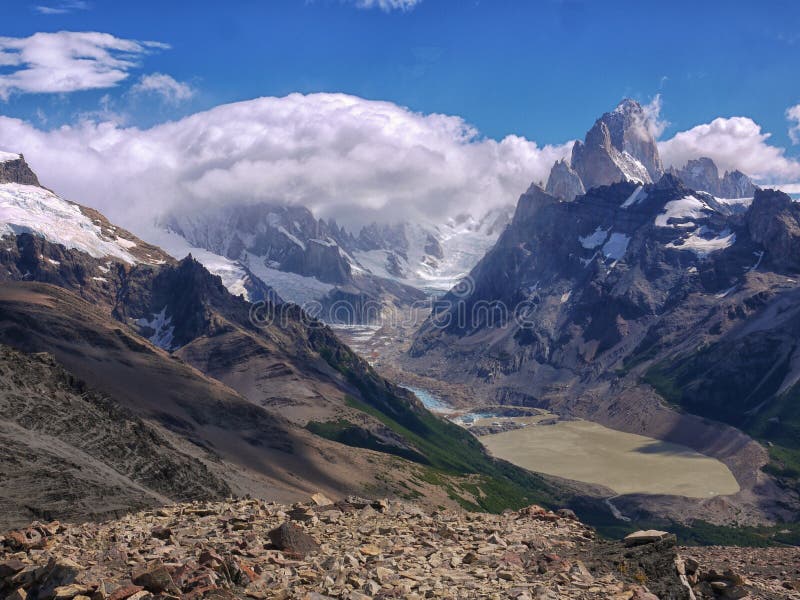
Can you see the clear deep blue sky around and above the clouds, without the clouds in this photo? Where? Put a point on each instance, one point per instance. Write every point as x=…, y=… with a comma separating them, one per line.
x=543, y=69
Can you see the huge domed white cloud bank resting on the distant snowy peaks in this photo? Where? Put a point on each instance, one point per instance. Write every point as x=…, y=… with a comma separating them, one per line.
x=341, y=156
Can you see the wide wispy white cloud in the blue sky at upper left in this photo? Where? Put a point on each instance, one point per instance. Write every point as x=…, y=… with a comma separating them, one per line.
x=68, y=61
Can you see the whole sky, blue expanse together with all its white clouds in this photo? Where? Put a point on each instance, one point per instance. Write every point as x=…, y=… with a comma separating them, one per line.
x=381, y=109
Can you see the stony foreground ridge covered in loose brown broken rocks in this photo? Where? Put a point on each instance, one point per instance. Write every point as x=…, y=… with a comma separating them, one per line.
x=360, y=549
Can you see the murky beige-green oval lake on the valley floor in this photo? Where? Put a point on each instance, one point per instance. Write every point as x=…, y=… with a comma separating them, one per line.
x=623, y=462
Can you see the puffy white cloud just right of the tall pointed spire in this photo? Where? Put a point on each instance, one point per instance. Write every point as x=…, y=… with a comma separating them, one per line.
x=733, y=143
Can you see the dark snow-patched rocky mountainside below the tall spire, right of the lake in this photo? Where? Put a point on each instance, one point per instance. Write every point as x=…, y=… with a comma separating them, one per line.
x=629, y=295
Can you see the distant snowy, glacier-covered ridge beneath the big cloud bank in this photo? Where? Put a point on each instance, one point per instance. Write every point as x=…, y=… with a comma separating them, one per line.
x=313, y=261
